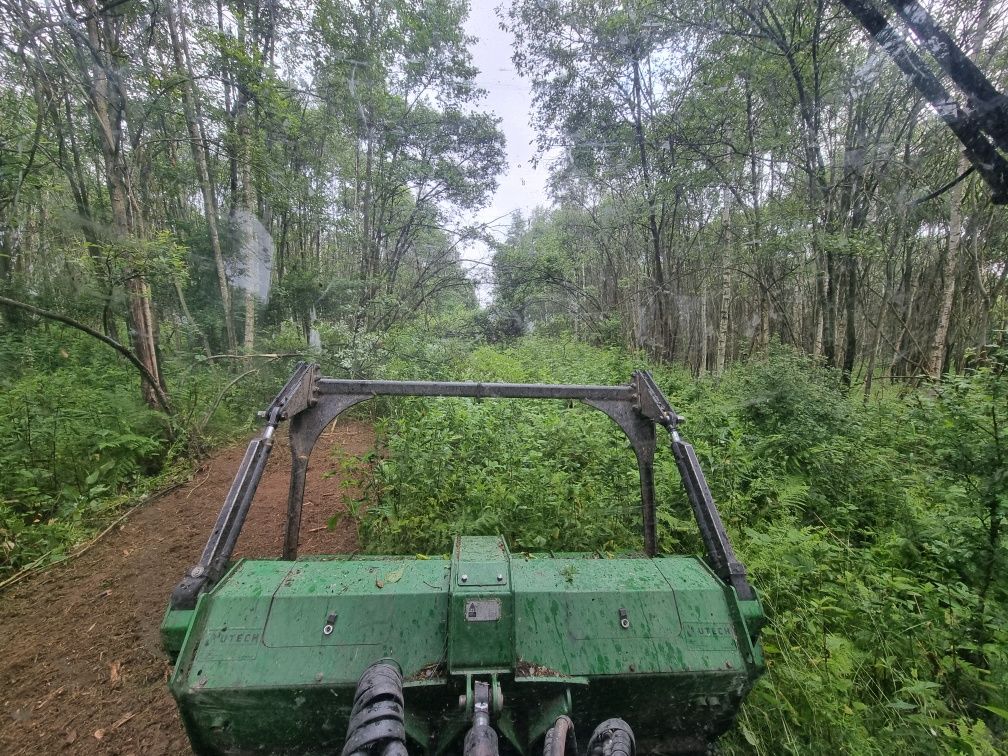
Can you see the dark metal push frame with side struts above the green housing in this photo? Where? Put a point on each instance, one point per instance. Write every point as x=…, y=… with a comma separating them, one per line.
x=312, y=404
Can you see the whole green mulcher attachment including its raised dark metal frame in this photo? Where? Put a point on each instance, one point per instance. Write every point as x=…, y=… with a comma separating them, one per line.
x=484, y=653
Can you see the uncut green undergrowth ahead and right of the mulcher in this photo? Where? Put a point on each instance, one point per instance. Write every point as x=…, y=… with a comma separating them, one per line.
x=865, y=527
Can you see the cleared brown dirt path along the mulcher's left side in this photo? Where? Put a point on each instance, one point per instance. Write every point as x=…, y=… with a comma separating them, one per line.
x=81, y=664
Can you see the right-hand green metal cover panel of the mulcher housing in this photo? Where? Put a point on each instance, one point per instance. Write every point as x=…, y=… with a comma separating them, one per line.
x=569, y=613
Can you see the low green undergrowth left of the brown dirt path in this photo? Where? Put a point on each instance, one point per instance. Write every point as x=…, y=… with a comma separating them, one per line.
x=78, y=445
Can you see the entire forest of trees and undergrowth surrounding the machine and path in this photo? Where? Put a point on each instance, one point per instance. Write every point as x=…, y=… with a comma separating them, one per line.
x=745, y=196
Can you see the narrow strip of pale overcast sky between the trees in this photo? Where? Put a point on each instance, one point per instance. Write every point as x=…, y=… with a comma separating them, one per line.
x=522, y=187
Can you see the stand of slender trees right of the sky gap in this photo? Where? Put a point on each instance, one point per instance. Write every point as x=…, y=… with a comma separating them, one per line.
x=731, y=174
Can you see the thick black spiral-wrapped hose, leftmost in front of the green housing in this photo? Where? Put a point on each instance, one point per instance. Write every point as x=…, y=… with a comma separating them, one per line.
x=376, y=724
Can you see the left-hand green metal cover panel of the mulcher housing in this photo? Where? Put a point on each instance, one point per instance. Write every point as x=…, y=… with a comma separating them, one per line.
x=266, y=624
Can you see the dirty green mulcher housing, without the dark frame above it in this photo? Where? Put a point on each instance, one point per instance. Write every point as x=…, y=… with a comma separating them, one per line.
x=661, y=642
